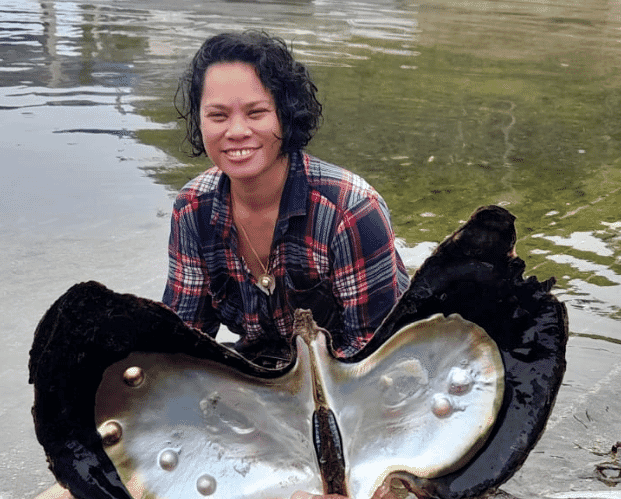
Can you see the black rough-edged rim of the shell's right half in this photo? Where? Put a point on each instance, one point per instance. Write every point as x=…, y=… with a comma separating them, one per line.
x=476, y=274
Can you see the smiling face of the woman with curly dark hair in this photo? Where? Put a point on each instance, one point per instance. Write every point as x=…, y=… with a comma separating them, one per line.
x=239, y=123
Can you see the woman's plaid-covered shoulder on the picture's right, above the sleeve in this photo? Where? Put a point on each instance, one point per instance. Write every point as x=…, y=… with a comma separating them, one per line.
x=340, y=187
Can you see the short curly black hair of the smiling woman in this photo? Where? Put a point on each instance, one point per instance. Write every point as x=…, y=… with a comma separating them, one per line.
x=288, y=81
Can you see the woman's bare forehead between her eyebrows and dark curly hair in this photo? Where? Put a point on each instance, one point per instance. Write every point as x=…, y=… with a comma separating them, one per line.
x=228, y=82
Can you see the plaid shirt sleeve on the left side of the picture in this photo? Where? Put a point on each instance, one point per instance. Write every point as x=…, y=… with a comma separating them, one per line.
x=186, y=289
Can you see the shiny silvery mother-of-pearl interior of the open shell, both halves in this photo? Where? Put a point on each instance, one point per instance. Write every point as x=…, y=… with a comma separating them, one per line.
x=423, y=403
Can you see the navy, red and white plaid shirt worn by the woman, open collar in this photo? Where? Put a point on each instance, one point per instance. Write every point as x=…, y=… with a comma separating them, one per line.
x=333, y=252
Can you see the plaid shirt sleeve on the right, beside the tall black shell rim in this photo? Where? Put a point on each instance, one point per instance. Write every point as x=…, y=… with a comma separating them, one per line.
x=369, y=276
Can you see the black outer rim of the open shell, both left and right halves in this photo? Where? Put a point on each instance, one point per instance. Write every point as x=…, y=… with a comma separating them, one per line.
x=474, y=273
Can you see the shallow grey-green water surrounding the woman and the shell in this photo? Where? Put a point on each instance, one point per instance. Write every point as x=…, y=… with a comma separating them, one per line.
x=442, y=106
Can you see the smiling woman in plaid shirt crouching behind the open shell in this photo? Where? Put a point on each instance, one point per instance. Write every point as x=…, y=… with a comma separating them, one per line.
x=269, y=228
